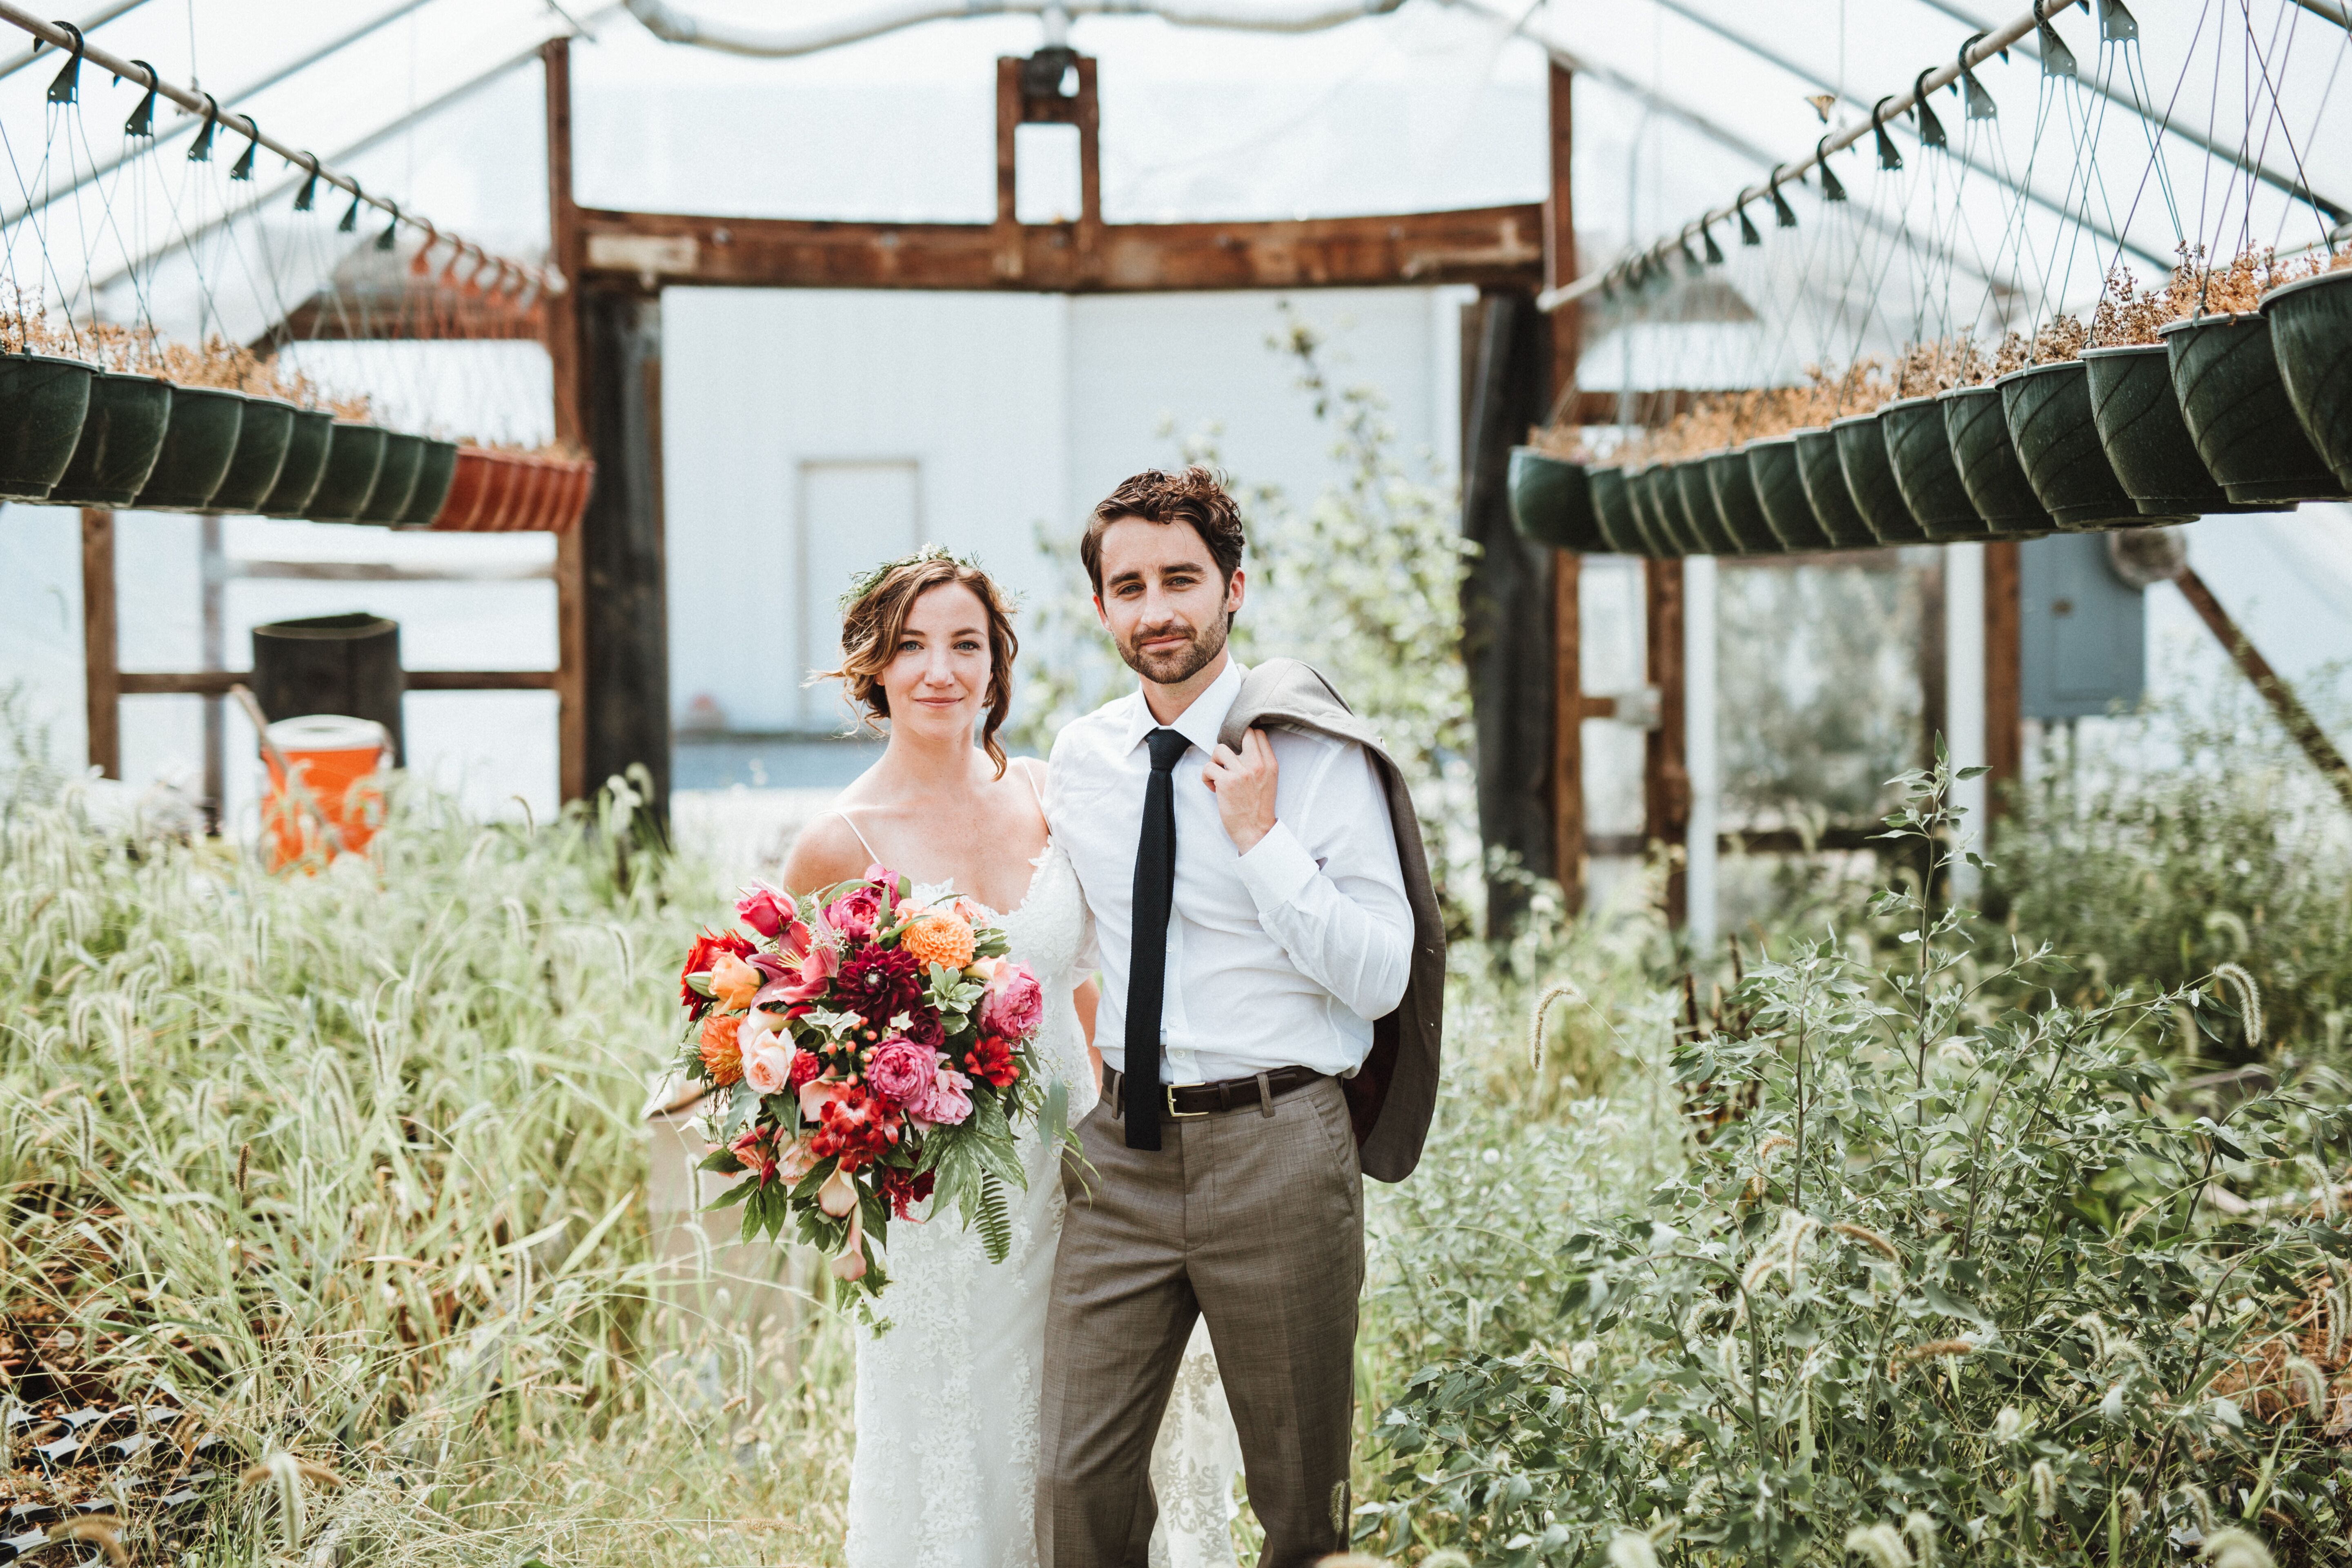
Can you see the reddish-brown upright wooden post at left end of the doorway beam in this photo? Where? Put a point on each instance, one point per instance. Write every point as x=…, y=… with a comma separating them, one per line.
x=561, y=314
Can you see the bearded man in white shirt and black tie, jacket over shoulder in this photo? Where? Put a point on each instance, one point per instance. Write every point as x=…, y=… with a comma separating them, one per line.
x=1274, y=970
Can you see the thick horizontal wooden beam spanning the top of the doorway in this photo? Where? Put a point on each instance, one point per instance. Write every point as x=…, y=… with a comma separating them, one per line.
x=1485, y=246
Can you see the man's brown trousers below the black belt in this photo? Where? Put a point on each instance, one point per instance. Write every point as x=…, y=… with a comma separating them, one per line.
x=1255, y=1224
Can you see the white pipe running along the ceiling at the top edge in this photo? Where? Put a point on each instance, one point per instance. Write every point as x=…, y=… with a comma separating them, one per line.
x=676, y=27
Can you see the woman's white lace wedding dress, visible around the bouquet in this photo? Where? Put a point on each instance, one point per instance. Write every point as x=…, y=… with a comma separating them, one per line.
x=949, y=1400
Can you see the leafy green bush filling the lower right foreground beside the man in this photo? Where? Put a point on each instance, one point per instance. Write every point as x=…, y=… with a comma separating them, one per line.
x=1939, y=1278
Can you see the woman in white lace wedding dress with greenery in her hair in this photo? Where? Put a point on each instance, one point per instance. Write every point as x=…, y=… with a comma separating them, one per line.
x=949, y=1395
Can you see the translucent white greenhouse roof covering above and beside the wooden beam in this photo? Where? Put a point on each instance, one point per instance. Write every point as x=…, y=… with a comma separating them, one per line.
x=1683, y=105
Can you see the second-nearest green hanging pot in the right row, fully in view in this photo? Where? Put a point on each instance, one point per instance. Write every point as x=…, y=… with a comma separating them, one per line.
x=2240, y=417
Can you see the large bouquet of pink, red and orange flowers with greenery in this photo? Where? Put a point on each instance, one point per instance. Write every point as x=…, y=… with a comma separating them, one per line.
x=871, y=1050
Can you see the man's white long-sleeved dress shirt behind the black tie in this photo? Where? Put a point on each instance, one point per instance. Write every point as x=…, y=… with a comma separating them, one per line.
x=1276, y=958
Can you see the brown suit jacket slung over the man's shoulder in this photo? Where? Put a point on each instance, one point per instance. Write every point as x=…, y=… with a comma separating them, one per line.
x=1394, y=1094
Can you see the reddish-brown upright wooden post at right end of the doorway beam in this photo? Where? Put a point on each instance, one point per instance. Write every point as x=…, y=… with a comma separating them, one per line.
x=1568, y=568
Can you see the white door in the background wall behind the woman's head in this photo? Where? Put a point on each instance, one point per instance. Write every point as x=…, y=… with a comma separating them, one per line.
x=853, y=516
